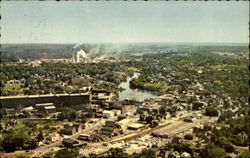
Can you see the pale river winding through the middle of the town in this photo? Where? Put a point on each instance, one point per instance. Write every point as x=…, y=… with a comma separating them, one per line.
x=129, y=93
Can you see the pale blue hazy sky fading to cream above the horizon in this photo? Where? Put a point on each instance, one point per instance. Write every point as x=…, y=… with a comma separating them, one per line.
x=79, y=22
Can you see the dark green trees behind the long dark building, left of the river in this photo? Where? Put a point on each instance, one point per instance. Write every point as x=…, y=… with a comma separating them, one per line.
x=48, y=77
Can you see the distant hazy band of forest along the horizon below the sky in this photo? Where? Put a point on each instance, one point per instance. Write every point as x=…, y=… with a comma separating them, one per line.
x=13, y=52
